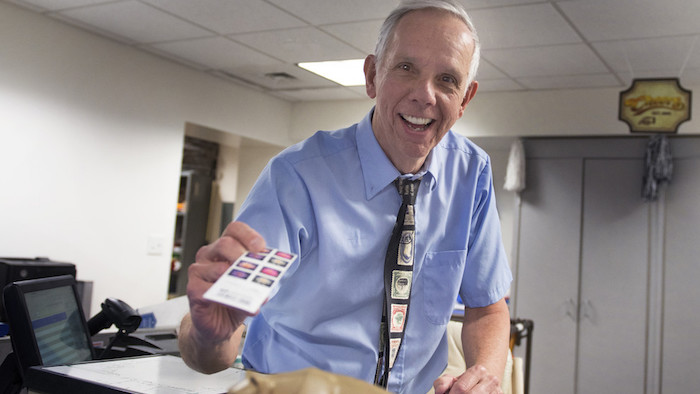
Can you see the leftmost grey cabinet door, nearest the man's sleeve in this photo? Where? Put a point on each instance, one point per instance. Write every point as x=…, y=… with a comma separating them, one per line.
x=548, y=268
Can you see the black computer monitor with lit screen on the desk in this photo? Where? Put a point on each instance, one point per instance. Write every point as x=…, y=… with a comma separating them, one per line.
x=47, y=324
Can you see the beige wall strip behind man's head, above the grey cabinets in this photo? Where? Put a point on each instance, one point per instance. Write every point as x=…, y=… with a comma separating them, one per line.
x=580, y=112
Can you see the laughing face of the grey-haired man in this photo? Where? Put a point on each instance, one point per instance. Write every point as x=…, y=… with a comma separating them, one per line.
x=420, y=85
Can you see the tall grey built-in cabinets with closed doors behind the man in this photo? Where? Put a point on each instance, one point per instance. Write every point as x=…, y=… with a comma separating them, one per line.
x=594, y=267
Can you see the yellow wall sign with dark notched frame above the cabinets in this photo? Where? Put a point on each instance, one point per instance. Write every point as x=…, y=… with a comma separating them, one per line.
x=655, y=105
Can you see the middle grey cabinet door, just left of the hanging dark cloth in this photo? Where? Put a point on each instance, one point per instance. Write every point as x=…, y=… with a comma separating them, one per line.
x=614, y=265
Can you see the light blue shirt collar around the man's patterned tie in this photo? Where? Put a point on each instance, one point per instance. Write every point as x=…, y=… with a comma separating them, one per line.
x=377, y=170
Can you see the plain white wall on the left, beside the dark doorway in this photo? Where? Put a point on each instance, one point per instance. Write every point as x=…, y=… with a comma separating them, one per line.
x=91, y=138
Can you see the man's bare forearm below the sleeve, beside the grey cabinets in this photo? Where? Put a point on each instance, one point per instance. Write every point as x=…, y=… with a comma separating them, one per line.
x=485, y=336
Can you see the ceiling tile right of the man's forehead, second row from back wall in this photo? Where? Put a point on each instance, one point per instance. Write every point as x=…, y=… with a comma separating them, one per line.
x=544, y=61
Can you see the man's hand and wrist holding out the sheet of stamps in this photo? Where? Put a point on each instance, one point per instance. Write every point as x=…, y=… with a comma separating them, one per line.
x=207, y=341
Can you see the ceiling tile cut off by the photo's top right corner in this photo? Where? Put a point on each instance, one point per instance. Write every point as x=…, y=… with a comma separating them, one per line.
x=600, y=20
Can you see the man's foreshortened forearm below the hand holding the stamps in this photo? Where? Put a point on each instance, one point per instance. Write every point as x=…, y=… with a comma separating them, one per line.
x=207, y=356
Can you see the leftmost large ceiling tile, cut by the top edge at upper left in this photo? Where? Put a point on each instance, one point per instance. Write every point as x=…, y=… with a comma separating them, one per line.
x=136, y=21
